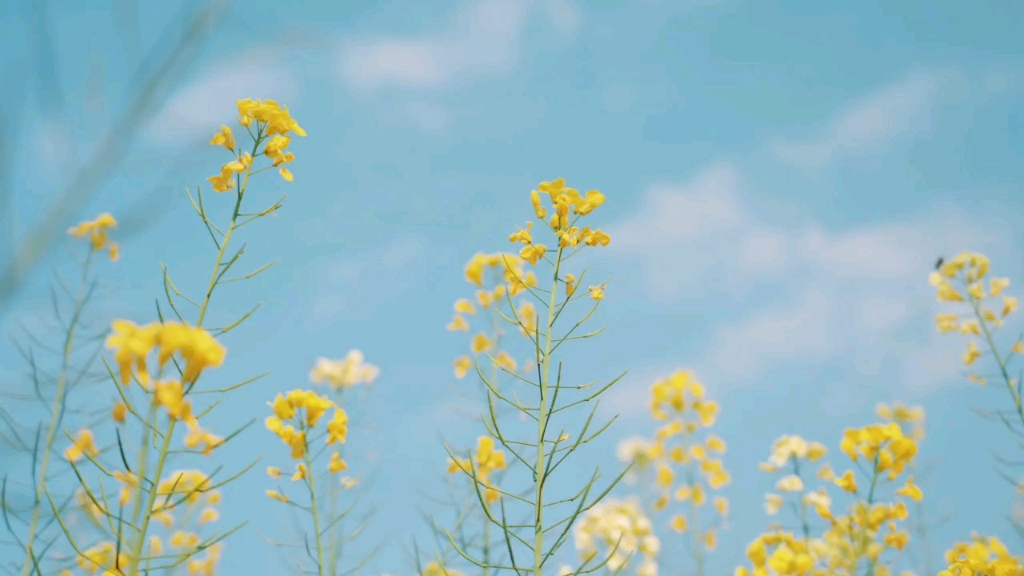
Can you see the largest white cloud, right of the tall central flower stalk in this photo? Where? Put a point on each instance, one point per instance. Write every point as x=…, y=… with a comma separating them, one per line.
x=845, y=296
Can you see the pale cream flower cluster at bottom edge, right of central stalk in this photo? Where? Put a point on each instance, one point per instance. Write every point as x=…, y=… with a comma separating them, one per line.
x=622, y=528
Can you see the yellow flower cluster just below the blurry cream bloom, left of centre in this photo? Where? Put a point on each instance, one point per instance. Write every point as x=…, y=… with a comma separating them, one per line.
x=295, y=416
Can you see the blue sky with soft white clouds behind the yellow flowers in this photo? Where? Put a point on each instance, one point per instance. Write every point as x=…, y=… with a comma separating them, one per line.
x=780, y=184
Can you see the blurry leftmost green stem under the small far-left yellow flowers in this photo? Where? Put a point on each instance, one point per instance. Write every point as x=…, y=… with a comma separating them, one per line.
x=56, y=417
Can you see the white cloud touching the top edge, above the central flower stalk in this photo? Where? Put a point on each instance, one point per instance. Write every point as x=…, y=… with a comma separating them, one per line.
x=485, y=38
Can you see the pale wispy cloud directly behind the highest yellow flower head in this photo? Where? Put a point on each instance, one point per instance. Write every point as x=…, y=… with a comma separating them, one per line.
x=197, y=110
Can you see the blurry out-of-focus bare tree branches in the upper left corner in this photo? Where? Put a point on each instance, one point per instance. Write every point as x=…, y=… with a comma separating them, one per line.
x=160, y=72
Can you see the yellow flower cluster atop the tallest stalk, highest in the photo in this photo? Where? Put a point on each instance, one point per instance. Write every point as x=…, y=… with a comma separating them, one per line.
x=274, y=125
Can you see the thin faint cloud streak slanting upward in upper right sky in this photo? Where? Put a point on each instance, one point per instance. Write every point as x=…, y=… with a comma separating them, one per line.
x=894, y=112
